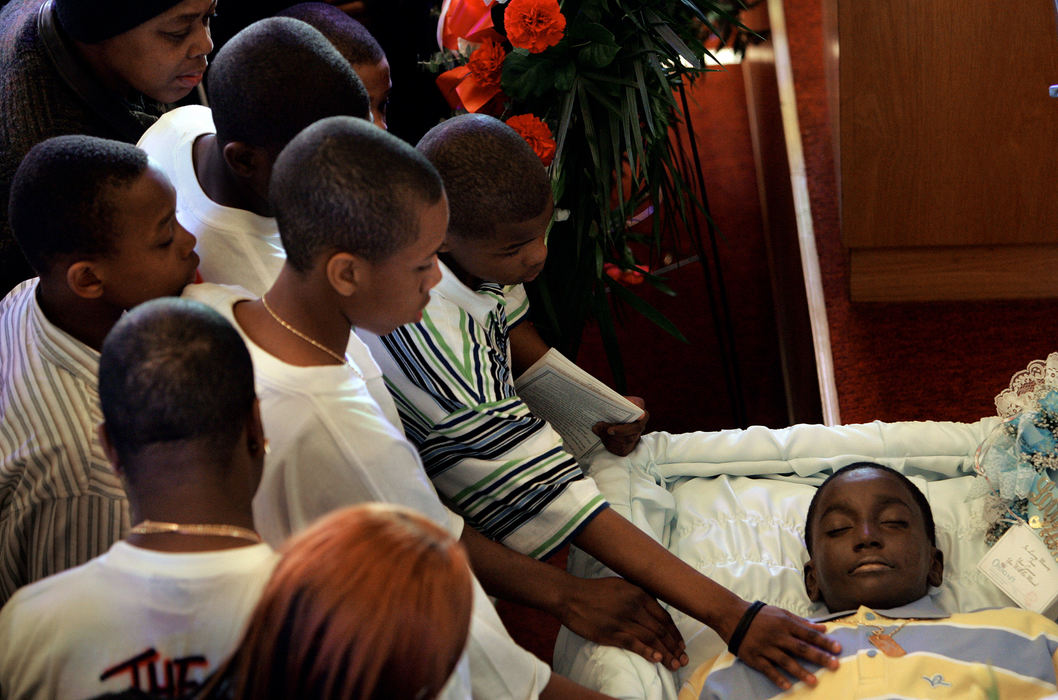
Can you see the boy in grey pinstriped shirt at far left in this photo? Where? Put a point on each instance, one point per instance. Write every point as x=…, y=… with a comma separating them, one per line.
x=97, y=220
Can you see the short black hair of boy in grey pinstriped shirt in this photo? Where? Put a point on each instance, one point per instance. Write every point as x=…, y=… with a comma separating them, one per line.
x=63, y=200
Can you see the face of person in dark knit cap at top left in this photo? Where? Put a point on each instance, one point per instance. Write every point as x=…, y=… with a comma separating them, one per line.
x=166, y=58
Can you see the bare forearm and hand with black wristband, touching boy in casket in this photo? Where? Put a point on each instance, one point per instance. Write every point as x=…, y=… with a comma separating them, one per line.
x=776, y=641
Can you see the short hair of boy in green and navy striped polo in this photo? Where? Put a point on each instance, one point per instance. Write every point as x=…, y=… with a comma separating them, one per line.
x=491, y=175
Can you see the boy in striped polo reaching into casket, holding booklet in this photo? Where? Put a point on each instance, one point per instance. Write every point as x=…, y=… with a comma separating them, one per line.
x=505, y=470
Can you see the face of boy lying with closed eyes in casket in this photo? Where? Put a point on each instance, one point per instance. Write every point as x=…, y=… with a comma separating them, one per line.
x=870, y=545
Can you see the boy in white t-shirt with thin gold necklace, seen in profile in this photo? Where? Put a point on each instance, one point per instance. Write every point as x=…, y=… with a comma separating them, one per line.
x=362, y=216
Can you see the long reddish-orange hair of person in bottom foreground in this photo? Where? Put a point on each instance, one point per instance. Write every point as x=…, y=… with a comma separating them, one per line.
x=372, y=602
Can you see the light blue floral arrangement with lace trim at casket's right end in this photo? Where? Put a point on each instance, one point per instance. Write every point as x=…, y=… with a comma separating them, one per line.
x=1017, y=463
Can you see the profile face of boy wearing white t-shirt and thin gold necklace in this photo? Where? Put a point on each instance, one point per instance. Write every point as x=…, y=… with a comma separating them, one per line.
x=395, y=291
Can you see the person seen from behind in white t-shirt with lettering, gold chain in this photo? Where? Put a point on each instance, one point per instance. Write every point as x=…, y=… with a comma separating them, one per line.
x=161, y=611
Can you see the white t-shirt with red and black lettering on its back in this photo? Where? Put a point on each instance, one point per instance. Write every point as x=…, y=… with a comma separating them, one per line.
x=131, y=618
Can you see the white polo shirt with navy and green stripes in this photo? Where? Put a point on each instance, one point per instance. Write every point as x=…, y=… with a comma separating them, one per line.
x=501, y=467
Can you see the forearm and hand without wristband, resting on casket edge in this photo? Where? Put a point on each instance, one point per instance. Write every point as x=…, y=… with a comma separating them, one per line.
x=606, y=611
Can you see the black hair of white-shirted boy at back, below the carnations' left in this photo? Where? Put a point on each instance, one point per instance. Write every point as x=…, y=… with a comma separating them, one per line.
x=278, y=77
